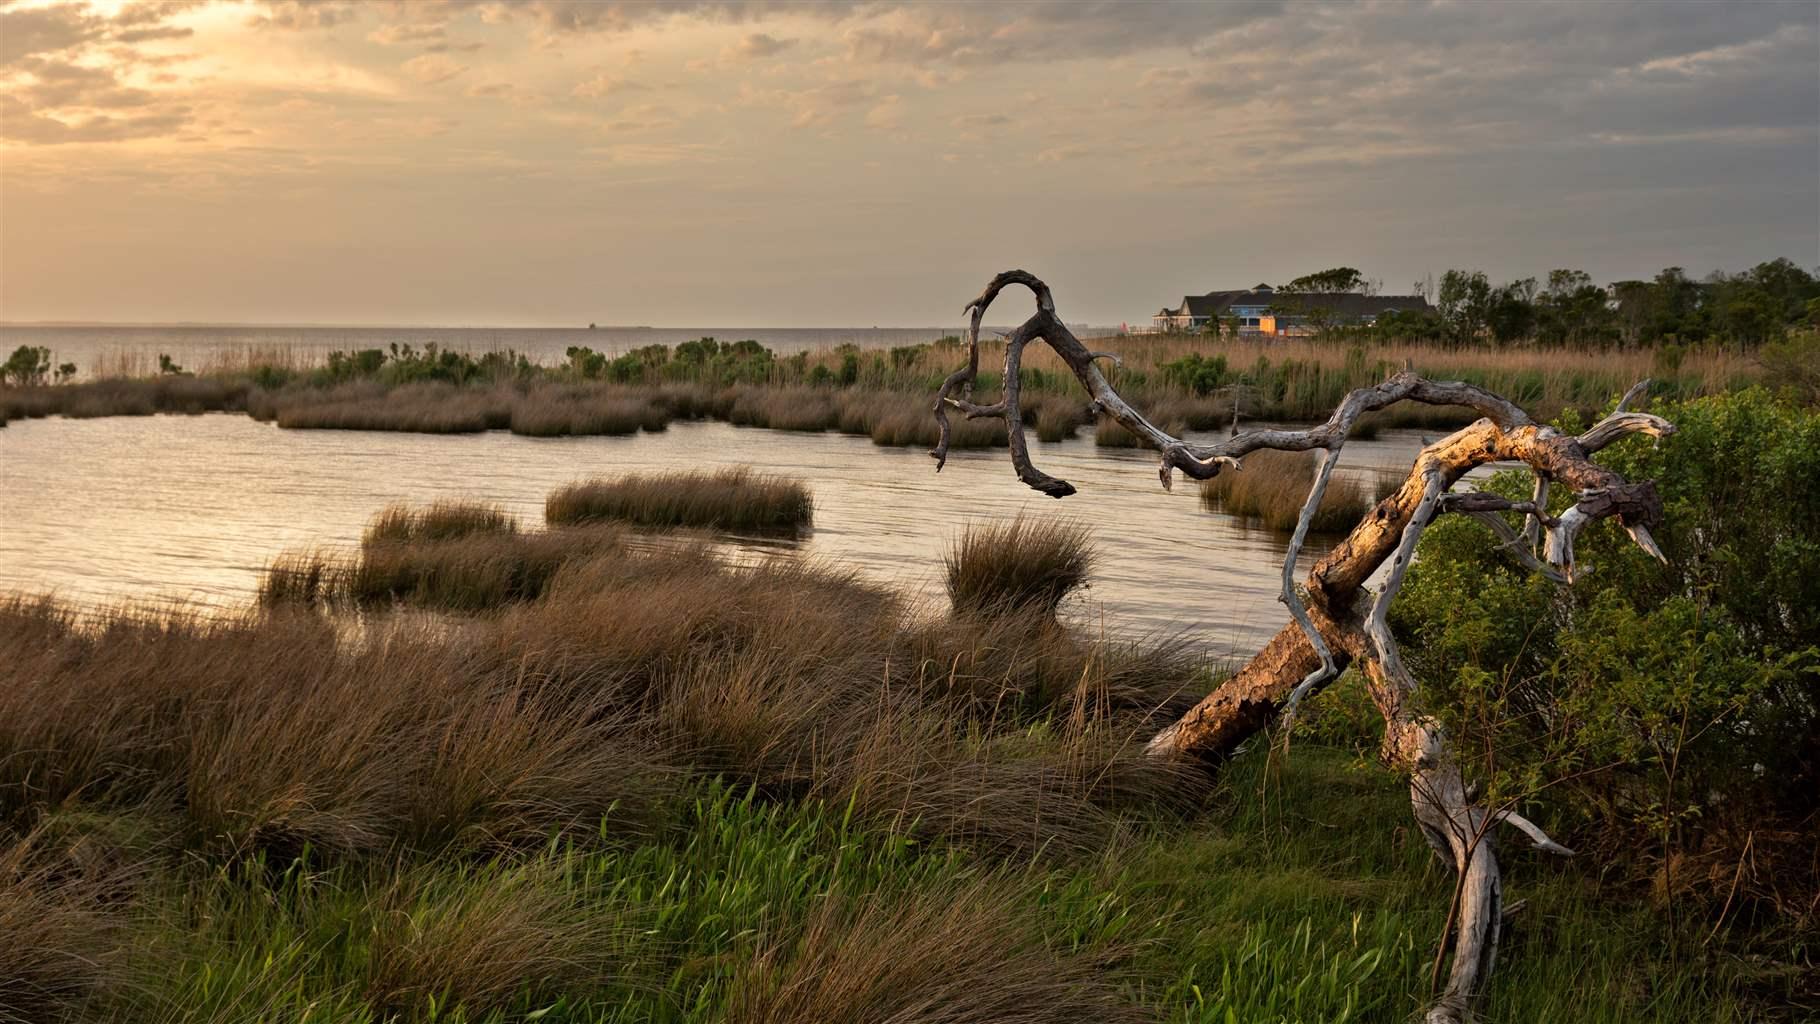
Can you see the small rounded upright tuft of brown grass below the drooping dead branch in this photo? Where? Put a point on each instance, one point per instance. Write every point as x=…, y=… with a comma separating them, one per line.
x=1026, y=563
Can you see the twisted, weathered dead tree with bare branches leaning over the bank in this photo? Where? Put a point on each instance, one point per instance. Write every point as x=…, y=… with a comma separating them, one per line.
x=1335, y=621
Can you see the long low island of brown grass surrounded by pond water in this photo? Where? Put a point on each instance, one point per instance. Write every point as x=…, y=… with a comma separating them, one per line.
x=727, y=499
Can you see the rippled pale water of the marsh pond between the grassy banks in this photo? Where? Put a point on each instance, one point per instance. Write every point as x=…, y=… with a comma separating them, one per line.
x=192, y=508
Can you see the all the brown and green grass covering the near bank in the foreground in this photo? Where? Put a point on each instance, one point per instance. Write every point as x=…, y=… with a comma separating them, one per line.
x=660, y=787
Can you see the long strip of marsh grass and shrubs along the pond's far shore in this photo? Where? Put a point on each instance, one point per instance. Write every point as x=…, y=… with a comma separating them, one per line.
x=1184, y=381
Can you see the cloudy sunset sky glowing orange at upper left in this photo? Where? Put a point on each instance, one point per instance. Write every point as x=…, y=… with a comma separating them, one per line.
x=560, y=163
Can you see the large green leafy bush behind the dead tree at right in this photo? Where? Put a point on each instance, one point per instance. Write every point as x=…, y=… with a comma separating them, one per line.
x=1650, y=707
